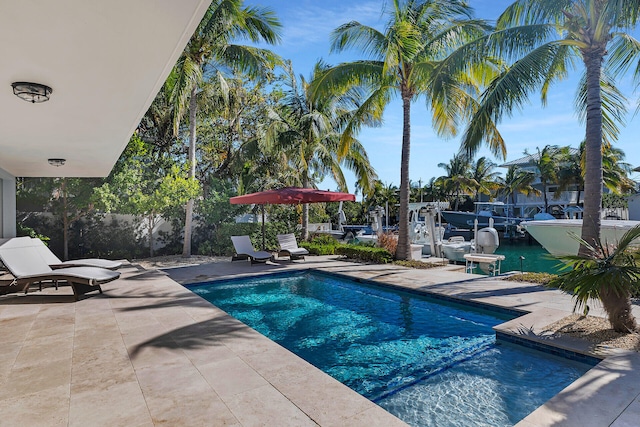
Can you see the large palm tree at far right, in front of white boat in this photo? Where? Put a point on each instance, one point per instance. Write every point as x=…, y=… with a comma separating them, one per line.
x=546, y=38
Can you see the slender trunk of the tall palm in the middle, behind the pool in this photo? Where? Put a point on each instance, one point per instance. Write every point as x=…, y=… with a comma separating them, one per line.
x=404, y=249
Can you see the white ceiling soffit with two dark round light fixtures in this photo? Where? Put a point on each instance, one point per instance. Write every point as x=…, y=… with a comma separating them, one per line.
x=104, y=60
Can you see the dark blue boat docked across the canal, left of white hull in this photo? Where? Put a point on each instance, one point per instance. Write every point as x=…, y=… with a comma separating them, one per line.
x=497, y=211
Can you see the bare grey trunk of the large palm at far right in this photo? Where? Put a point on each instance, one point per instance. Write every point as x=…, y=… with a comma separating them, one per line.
x=593, y=150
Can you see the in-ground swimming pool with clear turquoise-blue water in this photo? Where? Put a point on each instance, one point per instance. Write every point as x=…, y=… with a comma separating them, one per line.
x=429, y=362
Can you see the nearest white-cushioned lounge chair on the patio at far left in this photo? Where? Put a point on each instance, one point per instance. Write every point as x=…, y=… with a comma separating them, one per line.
x=27, y=266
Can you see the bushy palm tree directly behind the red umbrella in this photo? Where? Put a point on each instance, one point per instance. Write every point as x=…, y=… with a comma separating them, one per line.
x=308, y=132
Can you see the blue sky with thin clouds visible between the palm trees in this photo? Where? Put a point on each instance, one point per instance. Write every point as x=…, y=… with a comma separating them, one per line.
x=307, y=25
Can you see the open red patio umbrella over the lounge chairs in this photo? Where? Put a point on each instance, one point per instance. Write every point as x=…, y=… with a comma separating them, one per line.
x=290, y=196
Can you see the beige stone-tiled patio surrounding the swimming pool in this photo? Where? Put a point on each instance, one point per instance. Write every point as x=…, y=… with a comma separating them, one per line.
x=150, y=352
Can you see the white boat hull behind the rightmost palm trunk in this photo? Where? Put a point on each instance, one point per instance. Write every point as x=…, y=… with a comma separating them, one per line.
x=559, y=236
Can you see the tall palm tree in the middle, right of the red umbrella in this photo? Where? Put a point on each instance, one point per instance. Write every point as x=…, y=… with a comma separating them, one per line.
x=423, y=51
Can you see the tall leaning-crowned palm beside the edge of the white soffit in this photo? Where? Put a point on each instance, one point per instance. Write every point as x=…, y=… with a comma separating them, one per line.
x=208, y=54
